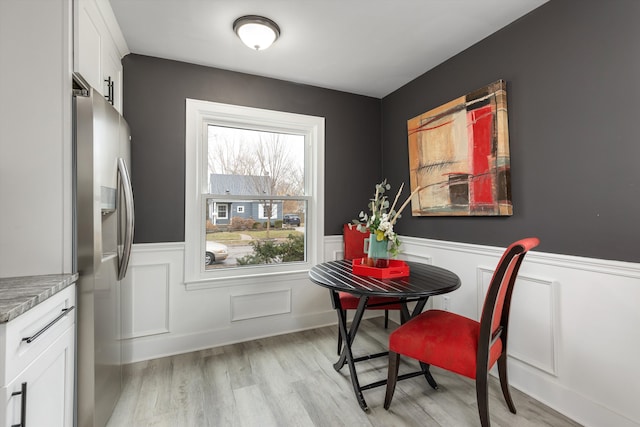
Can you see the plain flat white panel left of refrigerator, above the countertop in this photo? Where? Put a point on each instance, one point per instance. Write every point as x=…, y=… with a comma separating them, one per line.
x=35, y=137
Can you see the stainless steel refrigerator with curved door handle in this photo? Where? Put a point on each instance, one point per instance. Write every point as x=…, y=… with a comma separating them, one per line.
x=104, y=220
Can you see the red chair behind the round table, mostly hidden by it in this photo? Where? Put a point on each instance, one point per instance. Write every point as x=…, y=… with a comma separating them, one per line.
x=354, y=249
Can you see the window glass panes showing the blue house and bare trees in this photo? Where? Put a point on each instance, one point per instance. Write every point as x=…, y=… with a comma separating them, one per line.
x=259, y=177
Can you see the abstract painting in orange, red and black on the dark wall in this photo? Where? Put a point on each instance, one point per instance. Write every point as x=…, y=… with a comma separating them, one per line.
x=459, y=156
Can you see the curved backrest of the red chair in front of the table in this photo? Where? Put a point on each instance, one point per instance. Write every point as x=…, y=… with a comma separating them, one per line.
x=497, y=303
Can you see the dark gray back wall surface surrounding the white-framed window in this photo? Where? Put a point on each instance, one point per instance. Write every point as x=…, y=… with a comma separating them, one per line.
x=154, y=106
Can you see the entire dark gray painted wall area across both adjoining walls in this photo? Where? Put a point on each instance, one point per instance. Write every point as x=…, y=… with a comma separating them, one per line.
x=572, y=73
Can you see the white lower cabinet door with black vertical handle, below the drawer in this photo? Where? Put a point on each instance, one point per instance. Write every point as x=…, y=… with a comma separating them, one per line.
x=48, y=382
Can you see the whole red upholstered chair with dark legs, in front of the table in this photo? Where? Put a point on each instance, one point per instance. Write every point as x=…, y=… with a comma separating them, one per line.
x=460, y=344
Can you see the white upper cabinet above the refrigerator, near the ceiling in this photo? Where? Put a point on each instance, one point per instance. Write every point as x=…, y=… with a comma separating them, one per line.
x=98, y=48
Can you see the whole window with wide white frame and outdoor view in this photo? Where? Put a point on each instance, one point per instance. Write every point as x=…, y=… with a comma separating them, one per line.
x=247, y=170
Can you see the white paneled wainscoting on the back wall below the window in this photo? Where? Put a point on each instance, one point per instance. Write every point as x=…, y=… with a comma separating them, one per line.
x=195, y=318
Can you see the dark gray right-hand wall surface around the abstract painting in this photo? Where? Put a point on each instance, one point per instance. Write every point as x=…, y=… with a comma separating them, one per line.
x=573, y=79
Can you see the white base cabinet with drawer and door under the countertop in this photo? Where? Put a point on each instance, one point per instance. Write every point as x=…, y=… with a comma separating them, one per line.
x=38, y=364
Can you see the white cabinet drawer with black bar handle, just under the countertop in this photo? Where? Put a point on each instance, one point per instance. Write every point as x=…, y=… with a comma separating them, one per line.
x=41, y=325
